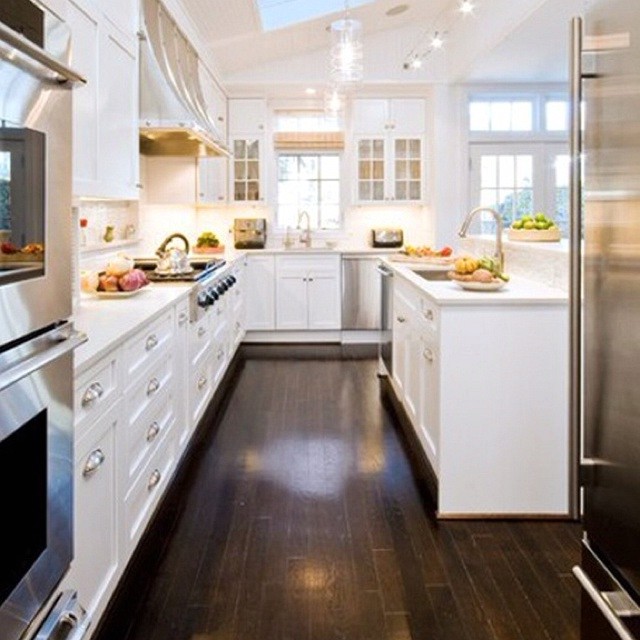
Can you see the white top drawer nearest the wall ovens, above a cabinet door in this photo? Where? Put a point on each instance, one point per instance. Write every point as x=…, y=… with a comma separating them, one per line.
x=95, y=390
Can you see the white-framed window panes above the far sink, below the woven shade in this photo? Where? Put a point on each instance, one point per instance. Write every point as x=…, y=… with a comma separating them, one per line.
x=309, y=182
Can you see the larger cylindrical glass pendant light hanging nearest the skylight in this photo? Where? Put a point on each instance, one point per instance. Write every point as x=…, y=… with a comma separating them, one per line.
x=346, y=66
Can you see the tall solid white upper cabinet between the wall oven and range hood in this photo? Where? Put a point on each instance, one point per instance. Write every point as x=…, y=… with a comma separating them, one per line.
x=105, y=110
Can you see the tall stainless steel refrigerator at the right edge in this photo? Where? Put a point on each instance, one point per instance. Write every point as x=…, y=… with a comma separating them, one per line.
x=607, y=77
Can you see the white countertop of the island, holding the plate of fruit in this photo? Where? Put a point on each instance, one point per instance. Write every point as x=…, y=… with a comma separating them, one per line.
x=517, y=291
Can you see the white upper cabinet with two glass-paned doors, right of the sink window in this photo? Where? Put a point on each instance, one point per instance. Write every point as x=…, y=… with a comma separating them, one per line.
x=389, y=140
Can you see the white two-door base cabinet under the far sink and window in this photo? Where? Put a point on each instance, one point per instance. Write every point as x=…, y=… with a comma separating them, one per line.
x=308, y=292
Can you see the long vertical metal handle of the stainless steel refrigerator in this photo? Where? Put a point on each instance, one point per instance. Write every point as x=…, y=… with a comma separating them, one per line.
x=575, y=268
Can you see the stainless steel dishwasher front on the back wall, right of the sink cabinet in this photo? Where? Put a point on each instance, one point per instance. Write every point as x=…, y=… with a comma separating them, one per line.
x=361, y=305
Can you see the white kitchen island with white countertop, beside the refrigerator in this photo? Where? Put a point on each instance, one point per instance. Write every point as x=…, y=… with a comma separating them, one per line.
x=483, y=380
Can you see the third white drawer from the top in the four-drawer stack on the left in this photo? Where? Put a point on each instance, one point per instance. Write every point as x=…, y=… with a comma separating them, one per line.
x=143, y=437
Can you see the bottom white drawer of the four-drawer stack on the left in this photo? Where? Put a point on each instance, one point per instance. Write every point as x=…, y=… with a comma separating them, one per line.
x=147, y=489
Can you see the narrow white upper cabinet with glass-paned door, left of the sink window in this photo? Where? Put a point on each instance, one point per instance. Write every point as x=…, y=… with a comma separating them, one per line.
x=247, y=138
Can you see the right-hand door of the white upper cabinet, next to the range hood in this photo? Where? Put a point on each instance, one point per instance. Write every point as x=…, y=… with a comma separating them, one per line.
x=117, y=119
